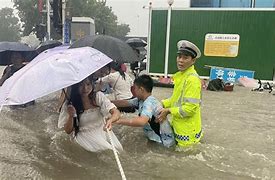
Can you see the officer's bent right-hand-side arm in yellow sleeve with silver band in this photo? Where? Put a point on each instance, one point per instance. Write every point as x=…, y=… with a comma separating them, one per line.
x=191, y=99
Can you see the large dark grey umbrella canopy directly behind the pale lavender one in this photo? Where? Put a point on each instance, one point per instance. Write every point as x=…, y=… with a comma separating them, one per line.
x=116, y=49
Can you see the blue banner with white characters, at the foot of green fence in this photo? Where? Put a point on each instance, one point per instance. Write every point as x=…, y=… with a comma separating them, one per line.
x=229, y=74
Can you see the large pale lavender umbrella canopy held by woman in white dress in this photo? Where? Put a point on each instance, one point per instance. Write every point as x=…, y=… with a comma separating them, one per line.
x=51, y=71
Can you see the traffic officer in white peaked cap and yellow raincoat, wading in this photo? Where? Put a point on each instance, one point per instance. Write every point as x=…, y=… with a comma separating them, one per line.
x=184, y=104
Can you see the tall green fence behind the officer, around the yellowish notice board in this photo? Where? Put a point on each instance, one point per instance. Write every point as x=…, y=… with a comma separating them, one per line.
x=255, y=28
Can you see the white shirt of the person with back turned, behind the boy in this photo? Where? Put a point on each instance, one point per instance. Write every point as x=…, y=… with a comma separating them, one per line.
x=121, y=87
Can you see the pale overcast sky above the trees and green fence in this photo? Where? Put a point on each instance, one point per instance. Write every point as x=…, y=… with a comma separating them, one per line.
x=130, y=12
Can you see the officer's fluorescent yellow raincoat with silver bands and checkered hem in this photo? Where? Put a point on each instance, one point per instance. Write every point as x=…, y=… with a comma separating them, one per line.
x=184, y=105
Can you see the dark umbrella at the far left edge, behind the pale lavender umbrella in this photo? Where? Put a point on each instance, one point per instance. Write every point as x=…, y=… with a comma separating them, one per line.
x=6, y=48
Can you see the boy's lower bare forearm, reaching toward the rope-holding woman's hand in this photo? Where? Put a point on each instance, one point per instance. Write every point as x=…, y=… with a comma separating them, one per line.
x=138, y=121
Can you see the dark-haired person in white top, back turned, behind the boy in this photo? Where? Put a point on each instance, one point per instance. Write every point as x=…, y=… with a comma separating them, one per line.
x=121, y=84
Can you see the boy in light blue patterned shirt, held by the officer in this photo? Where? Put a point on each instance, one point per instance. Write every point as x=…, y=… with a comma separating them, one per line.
x=149, y=108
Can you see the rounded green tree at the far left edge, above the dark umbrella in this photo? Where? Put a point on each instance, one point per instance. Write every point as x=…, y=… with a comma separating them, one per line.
x=9, y=26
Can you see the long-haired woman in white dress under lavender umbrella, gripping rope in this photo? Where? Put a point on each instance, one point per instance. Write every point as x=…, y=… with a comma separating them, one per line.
x=83, y=118
